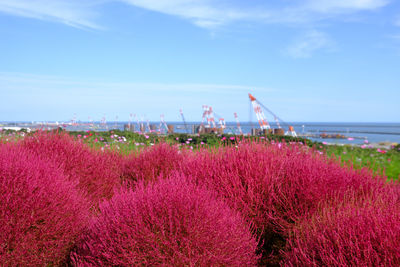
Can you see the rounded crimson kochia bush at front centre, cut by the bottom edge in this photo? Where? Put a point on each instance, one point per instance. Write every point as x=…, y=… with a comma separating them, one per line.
x=171, y=222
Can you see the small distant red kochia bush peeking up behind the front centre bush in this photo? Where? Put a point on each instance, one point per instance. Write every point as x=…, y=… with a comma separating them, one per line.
x=150, y=163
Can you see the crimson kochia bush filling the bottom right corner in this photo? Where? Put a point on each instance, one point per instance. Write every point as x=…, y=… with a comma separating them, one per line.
x=358, y=233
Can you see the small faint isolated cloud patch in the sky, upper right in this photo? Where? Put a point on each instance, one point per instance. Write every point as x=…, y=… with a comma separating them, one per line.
x=311, y=42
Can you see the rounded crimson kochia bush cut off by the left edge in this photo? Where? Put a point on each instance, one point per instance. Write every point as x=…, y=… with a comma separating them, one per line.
x=41, y=213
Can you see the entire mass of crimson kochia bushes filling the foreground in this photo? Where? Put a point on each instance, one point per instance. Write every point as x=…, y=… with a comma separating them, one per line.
x=247, y=203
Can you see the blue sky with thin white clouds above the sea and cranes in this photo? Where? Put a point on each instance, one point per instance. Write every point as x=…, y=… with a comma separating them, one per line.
x=311, y=60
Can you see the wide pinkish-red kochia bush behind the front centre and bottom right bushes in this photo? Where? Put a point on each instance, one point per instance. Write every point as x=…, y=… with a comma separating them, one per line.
x=274, y=185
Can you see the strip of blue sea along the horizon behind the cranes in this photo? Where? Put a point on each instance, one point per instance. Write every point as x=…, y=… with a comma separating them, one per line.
x=329, y=132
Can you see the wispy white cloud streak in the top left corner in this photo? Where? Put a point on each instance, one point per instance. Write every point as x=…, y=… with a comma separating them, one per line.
x=79, y=14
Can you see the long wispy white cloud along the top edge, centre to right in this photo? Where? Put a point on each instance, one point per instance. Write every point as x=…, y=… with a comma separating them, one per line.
x=213, y=13
